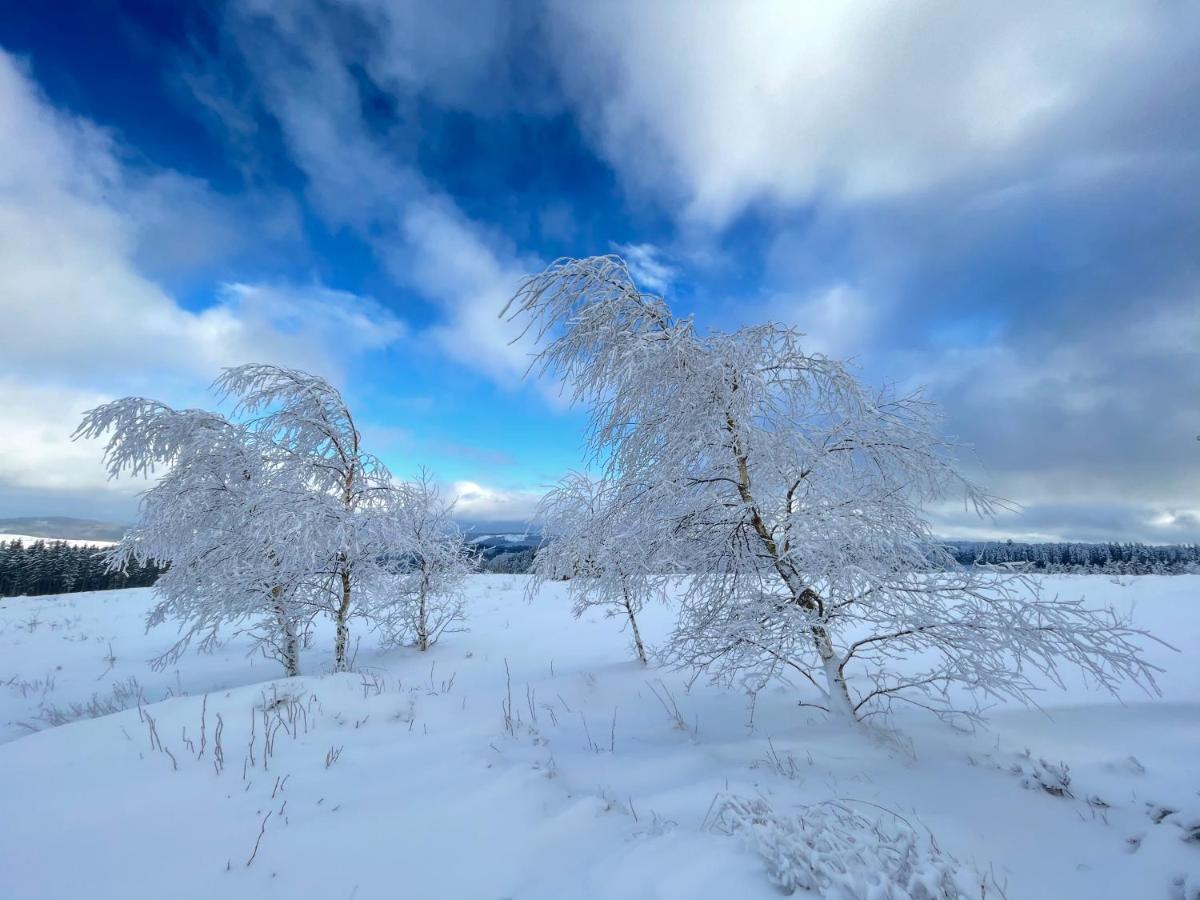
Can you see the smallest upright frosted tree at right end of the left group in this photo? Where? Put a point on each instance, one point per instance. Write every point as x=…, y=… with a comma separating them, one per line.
x=427, y=596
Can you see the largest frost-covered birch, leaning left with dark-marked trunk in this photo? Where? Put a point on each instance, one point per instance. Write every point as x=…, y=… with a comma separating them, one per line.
x=794, y=495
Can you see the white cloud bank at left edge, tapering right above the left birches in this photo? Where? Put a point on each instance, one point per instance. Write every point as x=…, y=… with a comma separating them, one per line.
x=74, y=299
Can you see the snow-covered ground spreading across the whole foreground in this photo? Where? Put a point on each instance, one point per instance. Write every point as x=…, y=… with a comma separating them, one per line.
x=406, y=779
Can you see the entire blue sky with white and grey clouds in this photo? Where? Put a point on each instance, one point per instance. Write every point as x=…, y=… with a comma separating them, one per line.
x=998, y=201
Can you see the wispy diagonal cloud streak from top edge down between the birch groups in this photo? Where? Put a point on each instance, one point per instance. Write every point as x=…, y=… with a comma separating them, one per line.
x=367, y=182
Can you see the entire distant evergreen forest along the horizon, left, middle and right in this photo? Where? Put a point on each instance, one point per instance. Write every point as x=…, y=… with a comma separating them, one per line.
x=57, y=568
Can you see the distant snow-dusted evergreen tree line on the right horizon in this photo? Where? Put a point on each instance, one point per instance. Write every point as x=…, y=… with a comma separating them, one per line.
x=1073, y=557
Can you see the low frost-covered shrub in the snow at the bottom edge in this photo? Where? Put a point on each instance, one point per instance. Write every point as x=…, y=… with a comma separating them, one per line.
x=839, y=855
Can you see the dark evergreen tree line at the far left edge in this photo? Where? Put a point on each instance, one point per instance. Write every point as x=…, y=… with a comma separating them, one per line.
x=58, y=568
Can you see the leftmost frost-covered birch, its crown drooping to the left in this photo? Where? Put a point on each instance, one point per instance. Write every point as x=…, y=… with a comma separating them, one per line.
x=221, y=518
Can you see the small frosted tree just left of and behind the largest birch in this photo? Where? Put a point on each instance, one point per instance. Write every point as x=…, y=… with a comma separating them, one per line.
x=610, y=560
